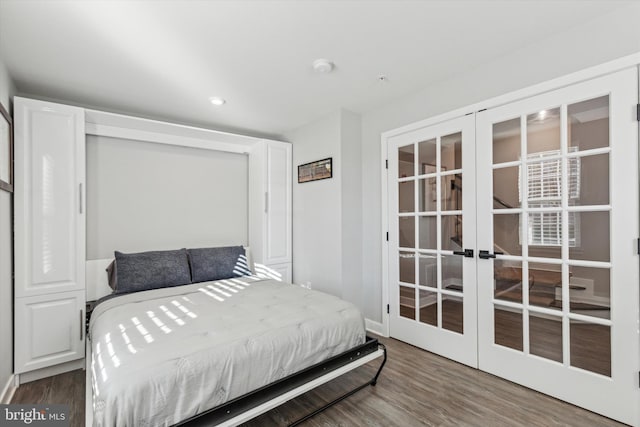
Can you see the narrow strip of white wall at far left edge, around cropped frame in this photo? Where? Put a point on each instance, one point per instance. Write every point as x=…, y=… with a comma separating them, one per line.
x=6, y=256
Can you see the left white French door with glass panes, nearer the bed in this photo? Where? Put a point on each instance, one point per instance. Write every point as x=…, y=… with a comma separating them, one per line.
x=432, y=276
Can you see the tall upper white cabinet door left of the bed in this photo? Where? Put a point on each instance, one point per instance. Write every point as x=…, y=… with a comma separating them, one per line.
x=49, y=197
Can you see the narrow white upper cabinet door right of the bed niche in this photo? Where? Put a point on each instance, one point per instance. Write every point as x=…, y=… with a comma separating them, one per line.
x=278, y=209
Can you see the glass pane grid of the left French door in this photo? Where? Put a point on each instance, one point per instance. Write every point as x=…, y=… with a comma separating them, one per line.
x=430, y=230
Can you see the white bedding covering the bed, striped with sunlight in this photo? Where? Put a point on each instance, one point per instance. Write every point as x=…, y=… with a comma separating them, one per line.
x=164, y=355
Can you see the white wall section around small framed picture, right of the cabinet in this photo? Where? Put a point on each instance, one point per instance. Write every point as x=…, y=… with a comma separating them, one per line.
x=327, y=213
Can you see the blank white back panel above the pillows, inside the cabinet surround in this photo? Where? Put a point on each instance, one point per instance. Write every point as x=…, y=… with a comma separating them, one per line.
x=145, y=196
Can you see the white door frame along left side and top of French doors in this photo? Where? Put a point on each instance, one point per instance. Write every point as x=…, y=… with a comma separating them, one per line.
x=557, y=83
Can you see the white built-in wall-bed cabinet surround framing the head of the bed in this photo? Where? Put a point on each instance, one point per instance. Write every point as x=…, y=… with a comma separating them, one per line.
x=50, y=219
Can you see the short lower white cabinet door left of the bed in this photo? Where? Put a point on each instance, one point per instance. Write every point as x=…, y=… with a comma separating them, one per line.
x=49, y=330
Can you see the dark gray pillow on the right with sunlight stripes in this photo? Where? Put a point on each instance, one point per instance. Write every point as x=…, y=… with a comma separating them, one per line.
x=217, y=263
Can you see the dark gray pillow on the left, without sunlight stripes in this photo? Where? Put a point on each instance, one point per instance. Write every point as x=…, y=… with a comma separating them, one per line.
x=151, y=270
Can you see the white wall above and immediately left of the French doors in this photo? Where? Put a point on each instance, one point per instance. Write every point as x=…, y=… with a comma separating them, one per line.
x=609, y=37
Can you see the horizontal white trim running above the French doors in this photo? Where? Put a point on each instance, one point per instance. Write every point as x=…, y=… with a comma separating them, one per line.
x=569, y=79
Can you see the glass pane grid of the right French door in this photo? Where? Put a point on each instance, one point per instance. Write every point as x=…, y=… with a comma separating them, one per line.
x=551, y=223
